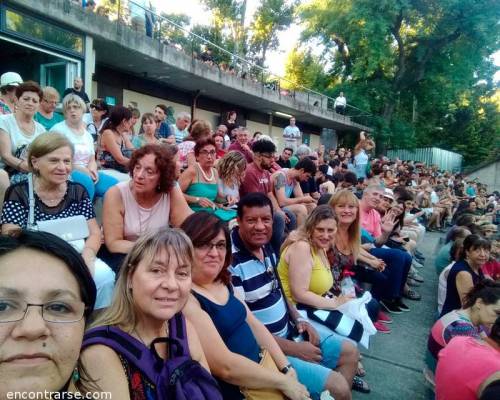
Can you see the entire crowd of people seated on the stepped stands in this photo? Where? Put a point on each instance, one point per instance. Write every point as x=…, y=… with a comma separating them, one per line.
x=220, y=268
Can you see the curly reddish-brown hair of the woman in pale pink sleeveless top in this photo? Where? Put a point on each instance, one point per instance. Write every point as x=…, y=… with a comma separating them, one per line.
x=164, y=161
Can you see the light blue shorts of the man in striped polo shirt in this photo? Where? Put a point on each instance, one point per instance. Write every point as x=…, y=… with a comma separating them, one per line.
x=314, y=376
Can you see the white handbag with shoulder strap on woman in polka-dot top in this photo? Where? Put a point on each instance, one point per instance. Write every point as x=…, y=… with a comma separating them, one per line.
x=74, y=229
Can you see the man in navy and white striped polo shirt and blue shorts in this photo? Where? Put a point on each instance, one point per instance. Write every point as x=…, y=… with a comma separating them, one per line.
x=322, y=359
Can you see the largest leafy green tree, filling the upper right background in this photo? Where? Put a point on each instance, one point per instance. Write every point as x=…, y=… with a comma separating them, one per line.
x=412, y=59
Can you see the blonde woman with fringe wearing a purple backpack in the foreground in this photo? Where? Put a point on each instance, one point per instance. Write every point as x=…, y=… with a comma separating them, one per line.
x=151, y=291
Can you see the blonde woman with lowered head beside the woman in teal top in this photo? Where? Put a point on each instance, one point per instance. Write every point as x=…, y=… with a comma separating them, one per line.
x=231, y=169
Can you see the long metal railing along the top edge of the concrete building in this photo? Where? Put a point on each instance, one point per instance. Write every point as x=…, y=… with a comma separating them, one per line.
x=171, y=33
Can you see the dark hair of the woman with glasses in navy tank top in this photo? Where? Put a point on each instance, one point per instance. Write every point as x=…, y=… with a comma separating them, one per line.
x=203, y=227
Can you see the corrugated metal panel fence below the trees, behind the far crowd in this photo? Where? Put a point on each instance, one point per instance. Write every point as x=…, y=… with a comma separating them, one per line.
x=444, y=159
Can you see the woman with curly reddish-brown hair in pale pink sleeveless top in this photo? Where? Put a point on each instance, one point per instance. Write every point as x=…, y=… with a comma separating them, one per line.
x=150, y=200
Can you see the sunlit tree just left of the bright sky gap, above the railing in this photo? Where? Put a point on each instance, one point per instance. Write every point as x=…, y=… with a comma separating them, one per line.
x=271, y=17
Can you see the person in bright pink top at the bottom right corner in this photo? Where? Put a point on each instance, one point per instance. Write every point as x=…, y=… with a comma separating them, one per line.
x=468, y=367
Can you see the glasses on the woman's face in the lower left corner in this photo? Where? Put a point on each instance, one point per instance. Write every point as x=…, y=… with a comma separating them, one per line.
x=55, y=311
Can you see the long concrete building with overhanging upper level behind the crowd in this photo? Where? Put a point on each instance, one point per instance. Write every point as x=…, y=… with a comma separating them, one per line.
x=52, y=41
